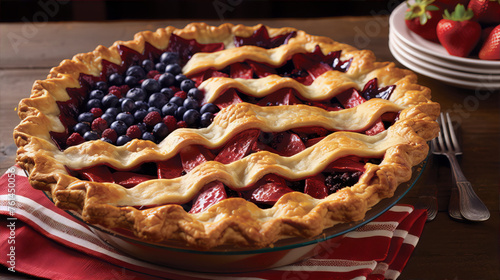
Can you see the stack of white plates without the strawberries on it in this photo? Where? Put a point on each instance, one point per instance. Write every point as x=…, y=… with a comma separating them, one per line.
x=432, y=60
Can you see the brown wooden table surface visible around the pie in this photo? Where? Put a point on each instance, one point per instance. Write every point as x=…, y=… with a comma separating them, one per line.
x=447, y=249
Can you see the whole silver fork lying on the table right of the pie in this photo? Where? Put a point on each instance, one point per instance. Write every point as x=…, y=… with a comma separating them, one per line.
x=471, y=206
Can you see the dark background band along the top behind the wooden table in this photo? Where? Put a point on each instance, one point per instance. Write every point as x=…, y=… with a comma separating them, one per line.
x=98, y=10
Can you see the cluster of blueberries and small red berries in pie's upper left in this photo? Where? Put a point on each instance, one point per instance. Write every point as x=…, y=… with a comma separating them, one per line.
x=148, y=101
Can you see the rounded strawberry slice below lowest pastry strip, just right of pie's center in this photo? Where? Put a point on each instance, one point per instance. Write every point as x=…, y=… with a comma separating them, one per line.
x=269, y=189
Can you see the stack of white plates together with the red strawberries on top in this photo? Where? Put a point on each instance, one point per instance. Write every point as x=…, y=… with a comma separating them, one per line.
x=455, y=41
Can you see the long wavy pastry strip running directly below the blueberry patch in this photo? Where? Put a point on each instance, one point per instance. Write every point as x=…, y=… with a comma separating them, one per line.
x=227, y=123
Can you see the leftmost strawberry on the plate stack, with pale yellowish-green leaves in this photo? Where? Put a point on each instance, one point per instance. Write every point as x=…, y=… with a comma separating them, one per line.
x=422, y=18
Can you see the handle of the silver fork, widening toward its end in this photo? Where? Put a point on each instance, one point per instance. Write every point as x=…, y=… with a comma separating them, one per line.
x=471, y=206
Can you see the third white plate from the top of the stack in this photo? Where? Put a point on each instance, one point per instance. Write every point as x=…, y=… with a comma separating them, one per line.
x=422, y=60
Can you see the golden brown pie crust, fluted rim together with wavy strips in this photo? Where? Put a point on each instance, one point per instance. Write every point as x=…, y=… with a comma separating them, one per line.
x=235, y=220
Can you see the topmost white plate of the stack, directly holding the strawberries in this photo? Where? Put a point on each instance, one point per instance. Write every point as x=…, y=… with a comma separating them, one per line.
x=396, y=21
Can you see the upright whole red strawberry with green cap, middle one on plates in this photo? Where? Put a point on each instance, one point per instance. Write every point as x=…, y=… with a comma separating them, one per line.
x=457, y=32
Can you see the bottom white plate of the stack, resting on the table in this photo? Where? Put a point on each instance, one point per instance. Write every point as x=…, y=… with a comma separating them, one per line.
x=449, y=80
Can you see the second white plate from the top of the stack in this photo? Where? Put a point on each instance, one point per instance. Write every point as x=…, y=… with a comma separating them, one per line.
x=443, y=63
